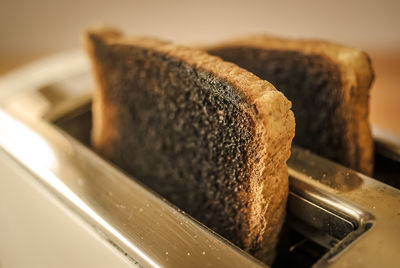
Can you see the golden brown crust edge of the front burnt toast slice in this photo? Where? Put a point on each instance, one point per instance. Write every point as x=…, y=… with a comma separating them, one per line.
x=271, y=115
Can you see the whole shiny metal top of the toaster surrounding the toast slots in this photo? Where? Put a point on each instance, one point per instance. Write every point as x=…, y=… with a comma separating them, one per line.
x=355, y=217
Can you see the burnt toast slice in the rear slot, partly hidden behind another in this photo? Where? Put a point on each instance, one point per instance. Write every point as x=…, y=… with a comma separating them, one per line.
x=328, y=84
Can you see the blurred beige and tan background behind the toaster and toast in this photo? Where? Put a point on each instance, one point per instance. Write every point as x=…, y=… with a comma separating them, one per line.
x=30, y=30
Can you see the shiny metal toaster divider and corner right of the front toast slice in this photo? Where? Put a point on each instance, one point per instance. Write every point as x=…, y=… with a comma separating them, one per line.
x=373, y=208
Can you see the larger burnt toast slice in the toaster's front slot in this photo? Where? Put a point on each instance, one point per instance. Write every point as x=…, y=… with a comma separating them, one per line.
x=207, y=135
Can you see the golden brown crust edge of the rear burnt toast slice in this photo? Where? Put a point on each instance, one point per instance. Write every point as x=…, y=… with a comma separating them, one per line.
x=356, y=75
